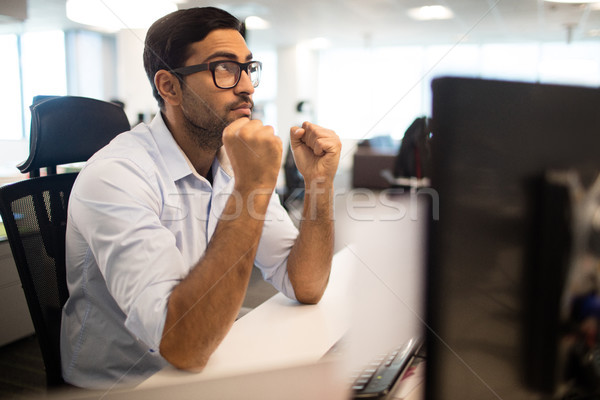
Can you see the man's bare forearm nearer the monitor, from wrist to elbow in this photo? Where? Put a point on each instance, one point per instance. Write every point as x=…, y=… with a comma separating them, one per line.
x=309, y=262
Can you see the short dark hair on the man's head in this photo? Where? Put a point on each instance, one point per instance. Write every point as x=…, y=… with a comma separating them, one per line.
x=168, y=40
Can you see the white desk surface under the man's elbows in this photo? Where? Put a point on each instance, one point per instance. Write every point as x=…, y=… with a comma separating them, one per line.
x=279, y=334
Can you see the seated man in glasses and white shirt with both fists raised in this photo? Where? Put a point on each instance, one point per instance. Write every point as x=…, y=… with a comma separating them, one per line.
x=167, y=221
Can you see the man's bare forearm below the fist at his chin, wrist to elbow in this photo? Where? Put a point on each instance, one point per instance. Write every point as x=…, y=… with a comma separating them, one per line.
x=202, y=308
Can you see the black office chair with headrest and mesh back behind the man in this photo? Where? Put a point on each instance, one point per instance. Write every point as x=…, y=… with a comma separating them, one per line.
x=64, y=130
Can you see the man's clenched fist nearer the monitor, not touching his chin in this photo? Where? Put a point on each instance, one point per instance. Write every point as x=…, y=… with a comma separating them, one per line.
x=316, y=152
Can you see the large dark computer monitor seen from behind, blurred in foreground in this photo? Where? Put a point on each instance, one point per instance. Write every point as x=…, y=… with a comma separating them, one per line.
x=500, y=318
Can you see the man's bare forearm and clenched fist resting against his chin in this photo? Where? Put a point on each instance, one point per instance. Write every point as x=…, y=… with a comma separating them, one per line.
x=219, y=279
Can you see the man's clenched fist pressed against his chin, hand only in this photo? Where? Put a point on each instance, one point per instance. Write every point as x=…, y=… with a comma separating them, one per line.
x=255, y=154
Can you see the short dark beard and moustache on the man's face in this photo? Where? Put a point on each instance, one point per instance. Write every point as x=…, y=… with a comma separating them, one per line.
x=202, y=123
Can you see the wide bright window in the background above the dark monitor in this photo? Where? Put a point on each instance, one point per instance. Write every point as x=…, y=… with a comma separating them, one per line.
x=379, y=91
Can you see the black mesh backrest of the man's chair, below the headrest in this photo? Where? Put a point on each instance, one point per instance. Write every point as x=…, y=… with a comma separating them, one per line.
x=34, y=216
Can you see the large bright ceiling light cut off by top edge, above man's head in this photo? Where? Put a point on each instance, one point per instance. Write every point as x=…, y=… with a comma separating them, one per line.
x=113, y=15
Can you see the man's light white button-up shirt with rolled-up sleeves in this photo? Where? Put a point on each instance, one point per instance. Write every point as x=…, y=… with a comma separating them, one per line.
x=140, y=217
